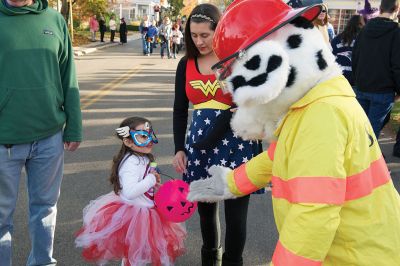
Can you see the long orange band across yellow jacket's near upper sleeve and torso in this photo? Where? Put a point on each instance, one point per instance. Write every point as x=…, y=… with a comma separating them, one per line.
x=331, y=190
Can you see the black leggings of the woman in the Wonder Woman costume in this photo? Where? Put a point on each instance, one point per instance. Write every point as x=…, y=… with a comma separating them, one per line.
x=235, y=220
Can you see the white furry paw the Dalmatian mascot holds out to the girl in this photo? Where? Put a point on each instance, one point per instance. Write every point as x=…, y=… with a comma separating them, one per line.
x=211, y=189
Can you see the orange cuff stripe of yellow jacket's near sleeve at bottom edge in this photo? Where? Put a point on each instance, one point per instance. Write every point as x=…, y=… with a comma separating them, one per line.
x=283, y=257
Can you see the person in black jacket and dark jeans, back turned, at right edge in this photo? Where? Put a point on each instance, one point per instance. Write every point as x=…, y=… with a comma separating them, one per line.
x=376, y=64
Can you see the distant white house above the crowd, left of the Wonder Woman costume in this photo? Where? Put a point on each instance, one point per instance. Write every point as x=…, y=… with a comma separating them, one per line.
x=136, y=9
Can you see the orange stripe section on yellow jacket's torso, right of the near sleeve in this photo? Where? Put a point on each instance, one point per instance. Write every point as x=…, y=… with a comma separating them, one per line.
x=362, y=184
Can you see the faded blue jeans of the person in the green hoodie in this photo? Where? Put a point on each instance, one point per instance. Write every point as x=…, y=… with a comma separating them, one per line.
x=43, y=161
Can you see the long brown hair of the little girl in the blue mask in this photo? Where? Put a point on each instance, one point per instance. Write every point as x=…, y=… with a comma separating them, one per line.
x=132, y=123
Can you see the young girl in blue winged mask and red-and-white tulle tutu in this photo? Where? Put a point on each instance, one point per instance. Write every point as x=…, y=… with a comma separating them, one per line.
x=124, y=224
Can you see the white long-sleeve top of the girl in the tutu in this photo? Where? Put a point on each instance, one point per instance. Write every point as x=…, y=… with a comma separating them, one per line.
x=137, y=184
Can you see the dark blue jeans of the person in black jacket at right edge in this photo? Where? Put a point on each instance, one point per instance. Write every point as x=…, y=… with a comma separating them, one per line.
x=376, y=106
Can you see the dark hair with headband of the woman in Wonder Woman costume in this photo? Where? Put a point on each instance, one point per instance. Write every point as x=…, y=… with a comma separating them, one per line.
x=203, y=13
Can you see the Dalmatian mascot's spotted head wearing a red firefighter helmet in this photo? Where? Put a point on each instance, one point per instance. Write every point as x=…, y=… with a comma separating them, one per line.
x=271, y=56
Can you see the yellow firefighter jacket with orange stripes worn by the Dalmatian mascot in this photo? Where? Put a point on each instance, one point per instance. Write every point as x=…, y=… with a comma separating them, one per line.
x=334, y=201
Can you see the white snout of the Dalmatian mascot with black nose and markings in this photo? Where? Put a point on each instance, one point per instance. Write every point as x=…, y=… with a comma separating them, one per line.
x=259, y=76
